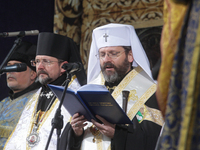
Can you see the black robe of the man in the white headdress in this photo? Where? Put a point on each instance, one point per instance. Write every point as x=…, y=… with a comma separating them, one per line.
x=139, y=136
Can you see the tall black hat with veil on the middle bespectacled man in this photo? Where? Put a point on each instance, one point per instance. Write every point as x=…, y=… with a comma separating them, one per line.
x=60, y=47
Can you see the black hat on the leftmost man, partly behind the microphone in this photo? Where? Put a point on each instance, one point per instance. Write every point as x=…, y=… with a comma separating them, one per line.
x=24, y=53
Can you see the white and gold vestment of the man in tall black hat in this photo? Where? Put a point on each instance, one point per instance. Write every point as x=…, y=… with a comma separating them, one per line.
x=30, y=108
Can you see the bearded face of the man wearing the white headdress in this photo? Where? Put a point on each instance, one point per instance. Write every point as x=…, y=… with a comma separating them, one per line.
x=114, y=62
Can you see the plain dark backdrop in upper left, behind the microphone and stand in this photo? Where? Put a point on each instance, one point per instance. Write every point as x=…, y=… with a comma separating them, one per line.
x=22, y=15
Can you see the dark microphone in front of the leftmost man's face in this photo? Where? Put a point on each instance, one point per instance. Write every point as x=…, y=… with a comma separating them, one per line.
x=14, y=68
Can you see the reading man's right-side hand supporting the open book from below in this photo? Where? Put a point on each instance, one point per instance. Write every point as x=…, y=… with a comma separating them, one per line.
x=106, y=128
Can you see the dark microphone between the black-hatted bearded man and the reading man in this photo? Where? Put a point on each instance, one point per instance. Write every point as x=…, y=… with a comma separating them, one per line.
x=72, y=67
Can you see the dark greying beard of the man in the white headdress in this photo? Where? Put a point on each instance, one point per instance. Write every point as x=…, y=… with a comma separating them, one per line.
x=119, y=72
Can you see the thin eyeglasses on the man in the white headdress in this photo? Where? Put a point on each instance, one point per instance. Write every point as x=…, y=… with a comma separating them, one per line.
x=111, y=54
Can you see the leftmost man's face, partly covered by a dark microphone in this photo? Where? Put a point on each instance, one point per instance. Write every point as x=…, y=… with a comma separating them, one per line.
x=18, y=81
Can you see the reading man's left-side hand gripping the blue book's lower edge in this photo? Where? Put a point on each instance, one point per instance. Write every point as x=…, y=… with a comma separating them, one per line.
x=78, y=123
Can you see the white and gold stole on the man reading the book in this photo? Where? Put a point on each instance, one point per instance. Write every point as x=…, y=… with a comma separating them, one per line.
x=137, y=97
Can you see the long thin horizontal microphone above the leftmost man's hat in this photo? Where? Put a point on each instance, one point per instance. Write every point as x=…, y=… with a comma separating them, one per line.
x=19, y=33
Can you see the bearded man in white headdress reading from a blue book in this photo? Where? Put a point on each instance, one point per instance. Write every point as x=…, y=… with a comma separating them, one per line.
x=118, y=61
